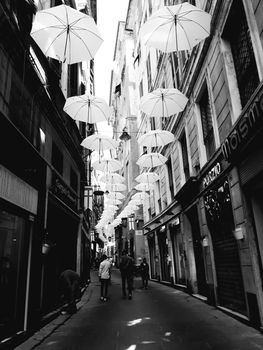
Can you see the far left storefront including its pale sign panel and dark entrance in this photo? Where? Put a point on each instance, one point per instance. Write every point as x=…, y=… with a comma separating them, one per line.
x=18, y=207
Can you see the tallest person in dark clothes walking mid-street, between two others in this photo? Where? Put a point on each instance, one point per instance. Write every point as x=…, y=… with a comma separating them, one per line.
x=127, y=271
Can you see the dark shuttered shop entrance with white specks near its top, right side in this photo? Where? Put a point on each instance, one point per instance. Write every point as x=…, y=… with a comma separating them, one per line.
x=230, y=289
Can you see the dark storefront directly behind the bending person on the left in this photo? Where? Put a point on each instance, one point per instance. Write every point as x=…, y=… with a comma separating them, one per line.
x=62, y=235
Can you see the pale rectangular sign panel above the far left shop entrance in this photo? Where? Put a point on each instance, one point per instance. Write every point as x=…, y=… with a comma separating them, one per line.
x=18, y=192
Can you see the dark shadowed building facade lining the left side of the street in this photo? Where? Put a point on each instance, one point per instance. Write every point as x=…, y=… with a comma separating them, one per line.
x=44, y=225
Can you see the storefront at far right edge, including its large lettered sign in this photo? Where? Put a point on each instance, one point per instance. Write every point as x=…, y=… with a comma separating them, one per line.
x=243, y=149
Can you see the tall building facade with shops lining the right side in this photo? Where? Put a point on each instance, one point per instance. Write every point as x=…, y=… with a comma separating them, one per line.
x=202, y=224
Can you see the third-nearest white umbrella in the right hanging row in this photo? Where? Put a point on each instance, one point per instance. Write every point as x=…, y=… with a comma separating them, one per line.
x=155, y=138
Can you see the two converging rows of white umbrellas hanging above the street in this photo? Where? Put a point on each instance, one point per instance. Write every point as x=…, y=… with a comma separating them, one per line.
x=70, y=36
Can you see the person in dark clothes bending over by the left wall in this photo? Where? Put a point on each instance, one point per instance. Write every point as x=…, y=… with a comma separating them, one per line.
x=70, y=288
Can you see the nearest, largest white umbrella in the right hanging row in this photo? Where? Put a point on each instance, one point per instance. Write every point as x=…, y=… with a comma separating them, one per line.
x=176, y=28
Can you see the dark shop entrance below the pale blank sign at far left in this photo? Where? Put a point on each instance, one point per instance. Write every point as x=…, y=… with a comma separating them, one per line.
x=13, y=271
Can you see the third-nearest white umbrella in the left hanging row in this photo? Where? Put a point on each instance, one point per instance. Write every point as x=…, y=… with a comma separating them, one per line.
x=98, y=142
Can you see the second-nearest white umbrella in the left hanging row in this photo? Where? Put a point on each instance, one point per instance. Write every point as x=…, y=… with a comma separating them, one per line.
x=87, y=108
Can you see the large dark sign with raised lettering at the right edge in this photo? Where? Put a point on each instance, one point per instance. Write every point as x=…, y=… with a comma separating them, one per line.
x=245, y=127
